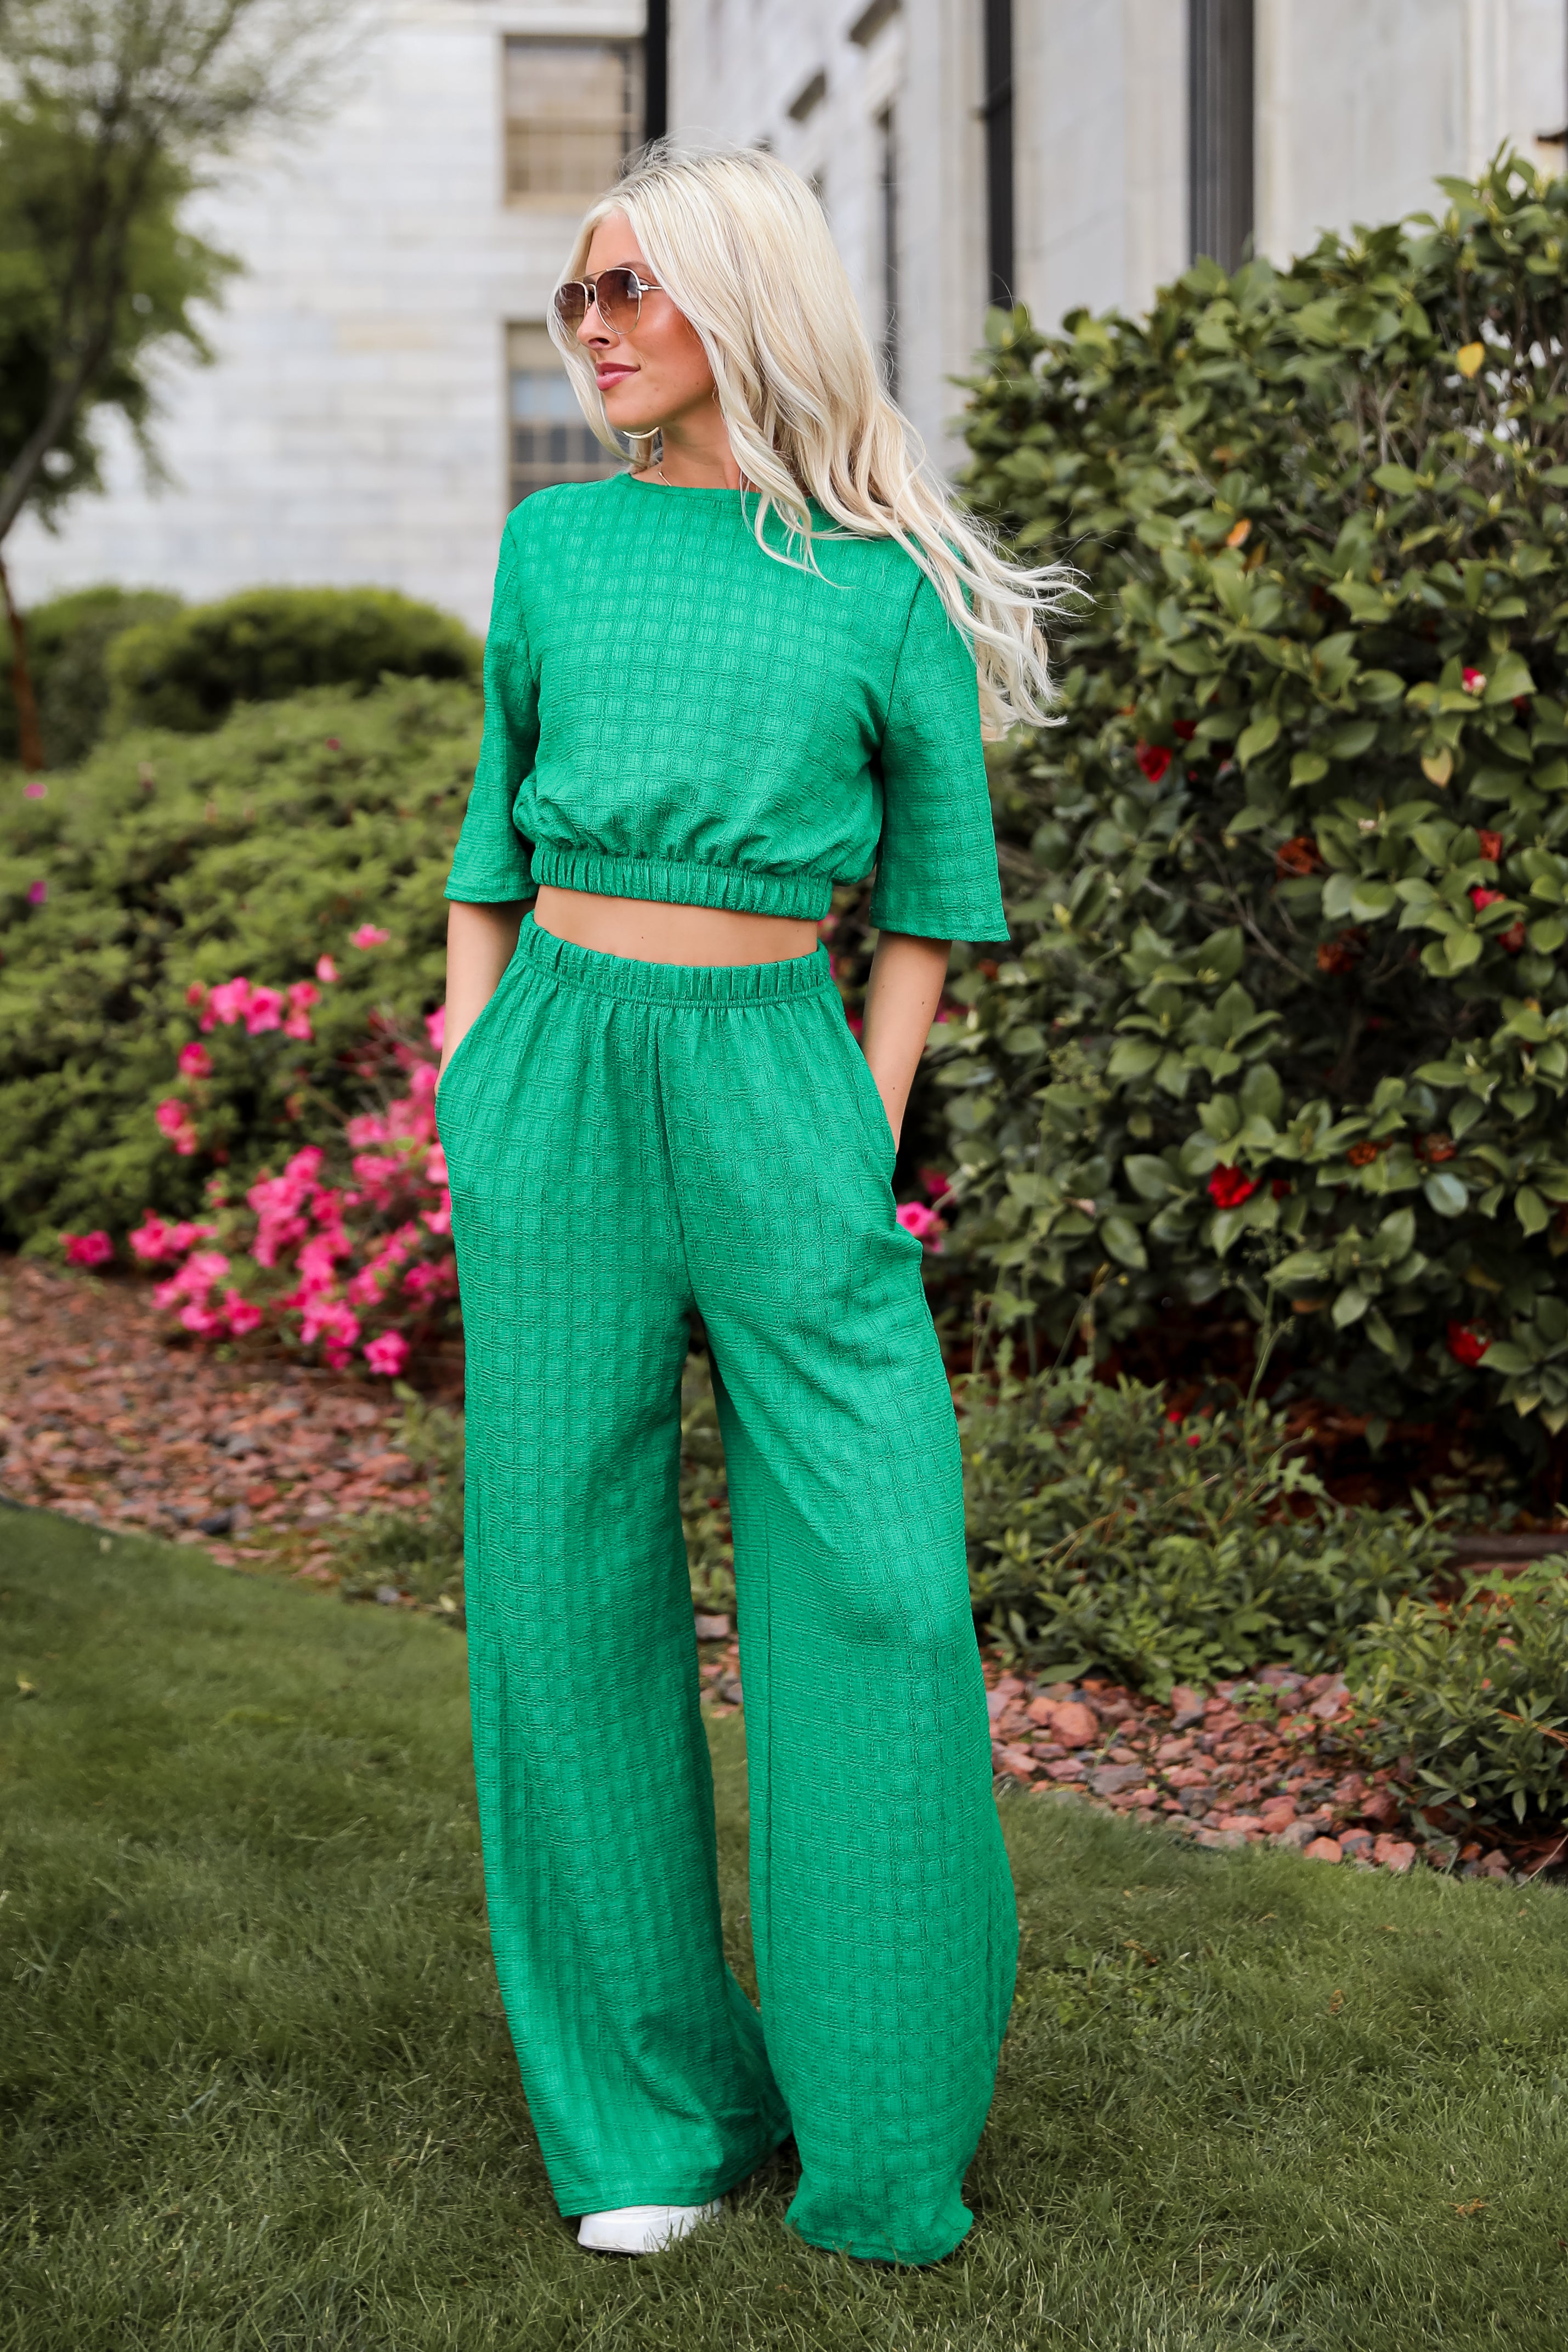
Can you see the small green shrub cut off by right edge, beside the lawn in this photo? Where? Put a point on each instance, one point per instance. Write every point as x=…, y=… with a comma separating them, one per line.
x=1475, y=1695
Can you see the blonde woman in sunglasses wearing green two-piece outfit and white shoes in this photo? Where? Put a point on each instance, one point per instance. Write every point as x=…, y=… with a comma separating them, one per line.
x=713, y=688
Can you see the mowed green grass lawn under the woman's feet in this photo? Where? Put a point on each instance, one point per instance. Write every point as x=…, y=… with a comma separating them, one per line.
x=257, y=2087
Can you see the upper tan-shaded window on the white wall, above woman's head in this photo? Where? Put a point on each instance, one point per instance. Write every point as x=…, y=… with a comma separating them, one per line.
x=572, y=116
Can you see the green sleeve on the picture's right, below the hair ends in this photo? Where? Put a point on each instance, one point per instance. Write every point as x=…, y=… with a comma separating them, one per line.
x=937, y=864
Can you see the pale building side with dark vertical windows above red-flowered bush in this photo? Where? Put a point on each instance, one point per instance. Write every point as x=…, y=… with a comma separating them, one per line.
x=1080, y=152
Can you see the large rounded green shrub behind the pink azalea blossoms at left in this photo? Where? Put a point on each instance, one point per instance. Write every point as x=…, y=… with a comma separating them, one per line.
x=177, y=862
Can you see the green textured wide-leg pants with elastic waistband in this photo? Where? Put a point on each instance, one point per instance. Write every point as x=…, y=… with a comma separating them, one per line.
x=626, y=1144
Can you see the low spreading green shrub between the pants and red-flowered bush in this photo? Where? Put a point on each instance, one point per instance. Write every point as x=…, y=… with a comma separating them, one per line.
x=1108, y=1530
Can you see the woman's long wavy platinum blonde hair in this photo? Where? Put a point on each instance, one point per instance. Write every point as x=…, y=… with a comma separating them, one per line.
x=742, y=246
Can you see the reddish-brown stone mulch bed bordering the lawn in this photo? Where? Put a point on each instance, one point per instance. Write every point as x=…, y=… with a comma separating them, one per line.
x=109, y=1419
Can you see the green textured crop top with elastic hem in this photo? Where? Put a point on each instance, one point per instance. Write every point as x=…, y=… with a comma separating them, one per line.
x=674, y=714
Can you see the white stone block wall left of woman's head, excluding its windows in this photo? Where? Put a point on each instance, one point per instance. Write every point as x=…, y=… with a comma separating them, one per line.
x=354, y=427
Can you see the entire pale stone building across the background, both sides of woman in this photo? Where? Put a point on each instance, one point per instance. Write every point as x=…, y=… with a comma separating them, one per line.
x=384, y=387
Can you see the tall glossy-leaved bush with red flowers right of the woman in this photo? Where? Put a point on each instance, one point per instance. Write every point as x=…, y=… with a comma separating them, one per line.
x=1289, y=883
